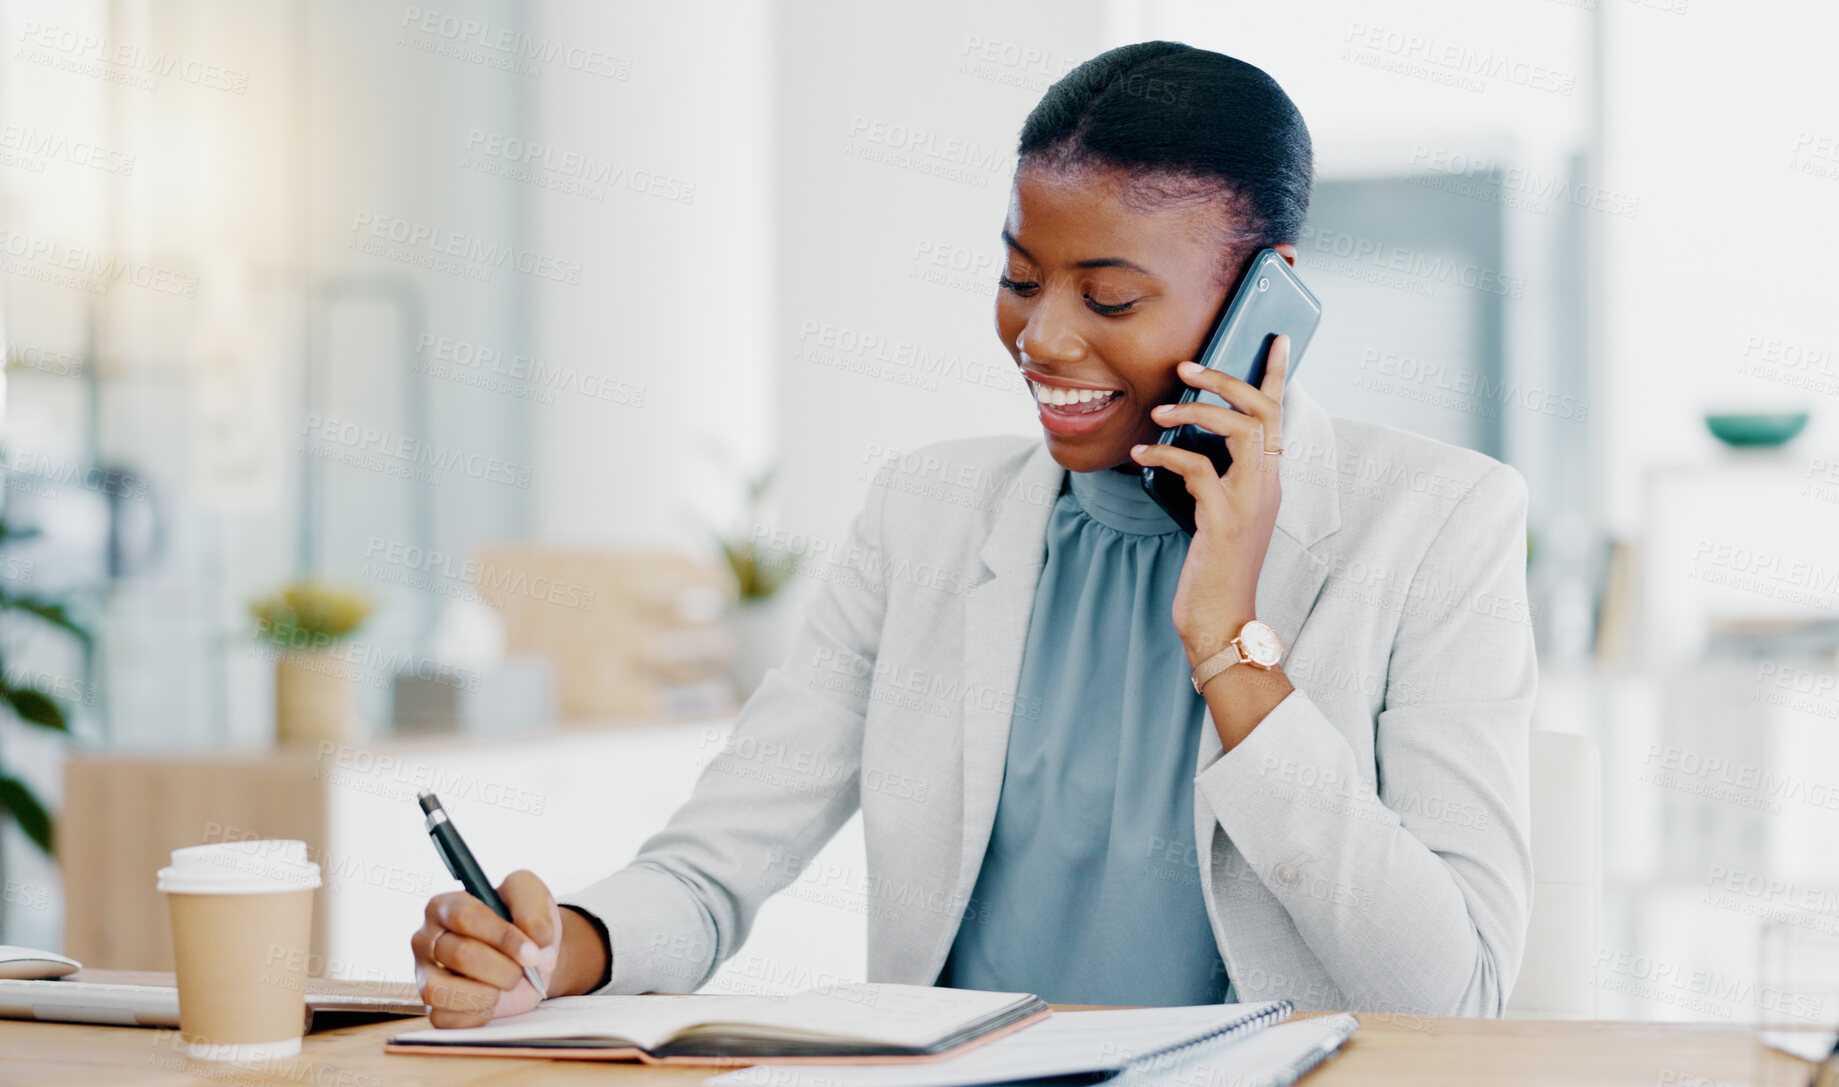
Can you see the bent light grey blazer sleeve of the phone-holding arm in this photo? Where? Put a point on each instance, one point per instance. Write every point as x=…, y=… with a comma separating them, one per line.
x=1428, y=869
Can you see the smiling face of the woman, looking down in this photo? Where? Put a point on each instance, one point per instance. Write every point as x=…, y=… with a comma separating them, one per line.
x=1099, y=303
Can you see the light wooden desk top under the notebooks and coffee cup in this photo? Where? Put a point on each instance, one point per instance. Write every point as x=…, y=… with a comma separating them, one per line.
x=1402, y=1051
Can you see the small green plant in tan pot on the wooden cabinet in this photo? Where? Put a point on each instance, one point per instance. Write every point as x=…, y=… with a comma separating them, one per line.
x=304, y=624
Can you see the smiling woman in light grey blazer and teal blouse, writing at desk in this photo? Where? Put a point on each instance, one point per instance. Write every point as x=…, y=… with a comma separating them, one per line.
x=1073, y=779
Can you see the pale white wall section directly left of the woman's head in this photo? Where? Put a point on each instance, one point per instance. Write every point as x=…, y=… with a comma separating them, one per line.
x=876, y=104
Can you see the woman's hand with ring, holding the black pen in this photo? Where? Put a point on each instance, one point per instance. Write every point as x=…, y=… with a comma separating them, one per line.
x=472, y=963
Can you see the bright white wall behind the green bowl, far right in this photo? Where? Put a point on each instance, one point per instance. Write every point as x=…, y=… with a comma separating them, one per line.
x=1715, y=117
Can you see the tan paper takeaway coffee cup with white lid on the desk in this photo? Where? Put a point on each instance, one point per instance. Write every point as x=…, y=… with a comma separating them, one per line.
x=242, y=930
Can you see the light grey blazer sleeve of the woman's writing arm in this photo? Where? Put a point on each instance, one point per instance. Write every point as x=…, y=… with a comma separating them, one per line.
x=781, y=786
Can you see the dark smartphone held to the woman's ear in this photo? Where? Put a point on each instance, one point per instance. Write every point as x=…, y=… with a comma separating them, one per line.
x=1270, y=303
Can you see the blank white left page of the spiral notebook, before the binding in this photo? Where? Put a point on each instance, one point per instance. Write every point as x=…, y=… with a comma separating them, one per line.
x=1062, y=1046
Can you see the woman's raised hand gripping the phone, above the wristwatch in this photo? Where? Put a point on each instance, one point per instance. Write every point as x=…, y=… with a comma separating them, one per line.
x=1235, y=514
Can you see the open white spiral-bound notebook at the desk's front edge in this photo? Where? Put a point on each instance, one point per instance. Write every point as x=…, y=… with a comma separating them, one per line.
x=1080, y=1047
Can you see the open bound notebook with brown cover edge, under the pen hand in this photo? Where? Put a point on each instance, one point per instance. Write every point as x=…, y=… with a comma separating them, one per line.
x=849, y=1024
